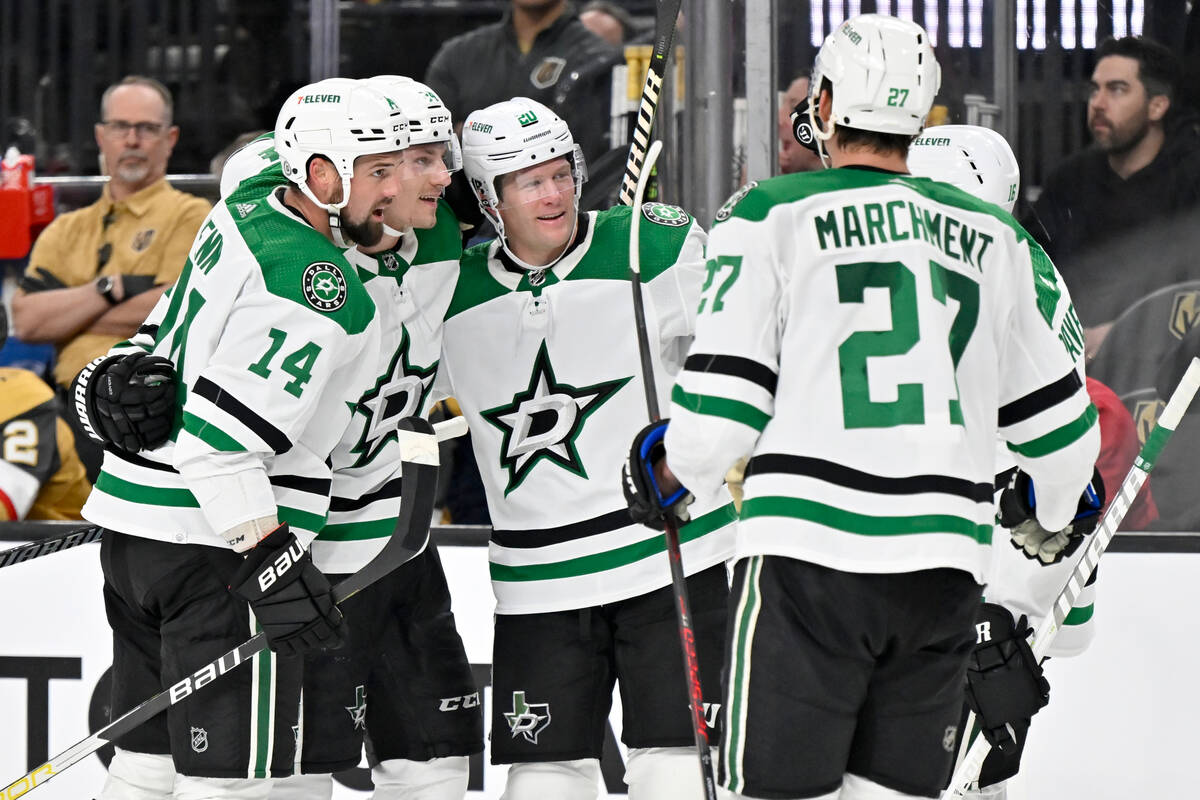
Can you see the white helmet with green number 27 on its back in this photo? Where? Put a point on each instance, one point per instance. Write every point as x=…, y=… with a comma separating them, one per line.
x=884, y=74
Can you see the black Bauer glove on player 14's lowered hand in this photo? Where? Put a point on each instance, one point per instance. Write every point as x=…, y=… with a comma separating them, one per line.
x=291, y=598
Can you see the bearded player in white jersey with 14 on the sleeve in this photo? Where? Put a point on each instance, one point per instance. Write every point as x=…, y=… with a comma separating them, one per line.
x=267, y=327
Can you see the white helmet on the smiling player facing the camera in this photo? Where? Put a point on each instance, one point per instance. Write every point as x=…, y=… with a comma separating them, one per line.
x=511, y=136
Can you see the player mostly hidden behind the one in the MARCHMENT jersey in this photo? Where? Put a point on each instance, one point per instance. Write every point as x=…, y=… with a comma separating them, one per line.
x=1018, y=593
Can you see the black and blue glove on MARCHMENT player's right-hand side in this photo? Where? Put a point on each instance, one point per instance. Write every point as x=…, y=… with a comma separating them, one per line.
x=1018, y=503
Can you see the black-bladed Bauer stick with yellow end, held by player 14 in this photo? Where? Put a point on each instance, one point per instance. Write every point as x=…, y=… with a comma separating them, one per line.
x=419, y=453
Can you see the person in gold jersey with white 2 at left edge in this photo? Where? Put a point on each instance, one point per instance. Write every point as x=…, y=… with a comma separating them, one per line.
x=41, y=477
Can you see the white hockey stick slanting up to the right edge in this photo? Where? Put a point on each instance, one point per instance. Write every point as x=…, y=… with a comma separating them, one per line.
x=968, y=771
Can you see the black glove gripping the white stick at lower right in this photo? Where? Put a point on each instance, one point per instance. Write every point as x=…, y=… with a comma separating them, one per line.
x=1006, y=685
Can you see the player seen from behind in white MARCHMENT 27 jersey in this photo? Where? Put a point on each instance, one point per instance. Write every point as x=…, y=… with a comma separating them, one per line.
x=861, y=336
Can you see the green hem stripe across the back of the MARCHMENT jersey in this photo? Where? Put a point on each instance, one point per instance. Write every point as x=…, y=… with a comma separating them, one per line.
x=865, y=525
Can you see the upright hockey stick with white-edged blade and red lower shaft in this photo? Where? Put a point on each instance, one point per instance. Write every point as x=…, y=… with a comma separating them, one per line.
x=675, y=557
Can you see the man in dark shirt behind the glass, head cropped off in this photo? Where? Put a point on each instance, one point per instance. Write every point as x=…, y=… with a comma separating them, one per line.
x=542, y=51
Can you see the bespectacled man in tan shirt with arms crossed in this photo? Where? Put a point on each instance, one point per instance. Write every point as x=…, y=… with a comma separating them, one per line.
x=97, y=273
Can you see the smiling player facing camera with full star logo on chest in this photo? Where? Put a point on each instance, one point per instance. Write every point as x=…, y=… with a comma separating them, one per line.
x=541, y=352
